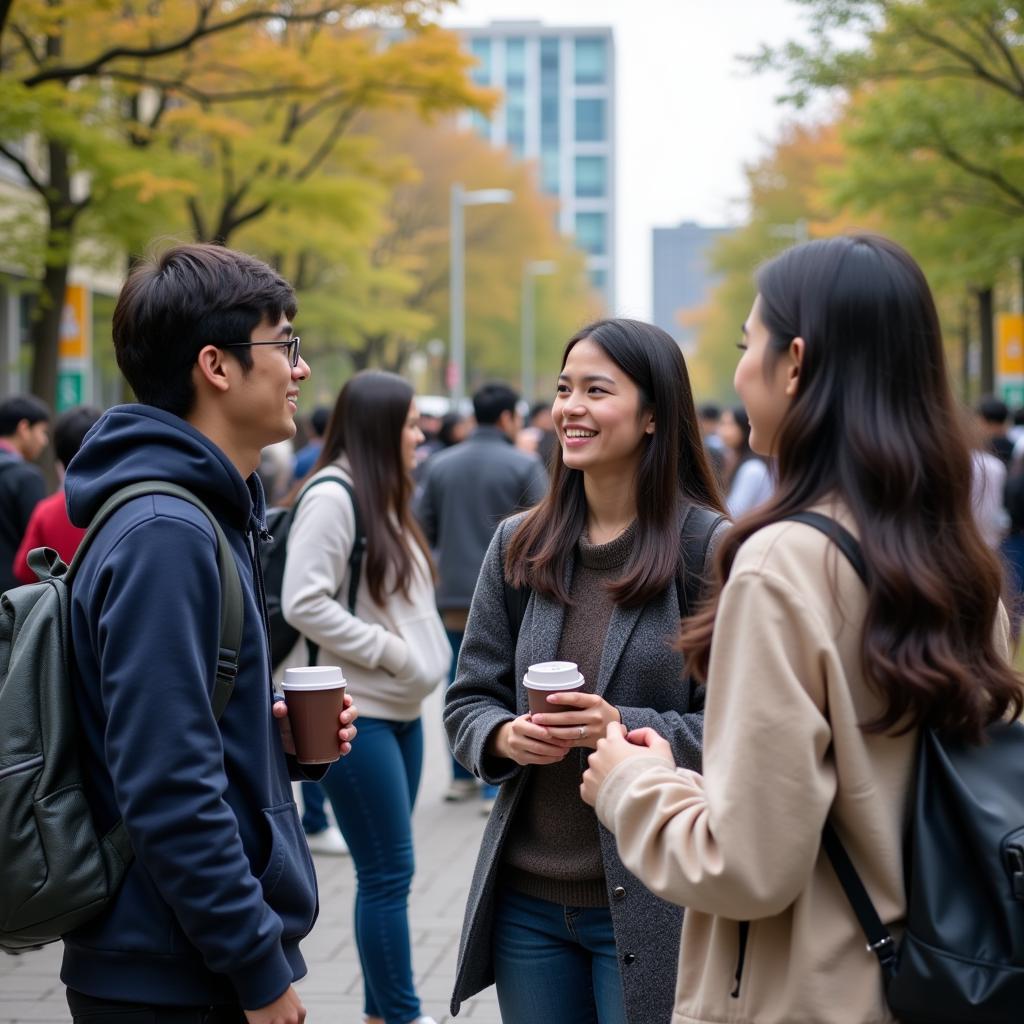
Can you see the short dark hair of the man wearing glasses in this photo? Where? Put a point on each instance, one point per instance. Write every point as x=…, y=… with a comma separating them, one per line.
x=191, y=296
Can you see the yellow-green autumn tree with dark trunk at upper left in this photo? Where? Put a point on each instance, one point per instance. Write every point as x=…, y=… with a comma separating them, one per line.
x=134, y=108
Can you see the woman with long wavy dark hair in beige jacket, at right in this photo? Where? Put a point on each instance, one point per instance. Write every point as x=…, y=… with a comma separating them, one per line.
x=818, y=688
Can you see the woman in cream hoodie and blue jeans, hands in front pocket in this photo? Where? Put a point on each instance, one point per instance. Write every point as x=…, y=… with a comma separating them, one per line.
x=393, y=652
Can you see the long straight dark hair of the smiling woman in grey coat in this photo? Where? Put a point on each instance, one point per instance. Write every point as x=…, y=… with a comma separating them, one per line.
x=673, y=471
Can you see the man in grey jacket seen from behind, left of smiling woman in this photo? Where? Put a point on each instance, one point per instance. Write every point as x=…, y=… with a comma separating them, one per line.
x=468, y=490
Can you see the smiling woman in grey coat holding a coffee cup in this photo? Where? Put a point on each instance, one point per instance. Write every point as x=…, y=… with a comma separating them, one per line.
x=553, y=918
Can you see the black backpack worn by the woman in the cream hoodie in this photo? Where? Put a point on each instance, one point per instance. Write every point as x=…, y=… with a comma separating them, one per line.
x=274, y=554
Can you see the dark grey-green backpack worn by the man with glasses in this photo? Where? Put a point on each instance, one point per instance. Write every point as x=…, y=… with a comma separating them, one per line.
x=58, y=872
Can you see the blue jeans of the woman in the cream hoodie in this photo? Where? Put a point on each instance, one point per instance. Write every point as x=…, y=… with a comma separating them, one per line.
x=372, y=792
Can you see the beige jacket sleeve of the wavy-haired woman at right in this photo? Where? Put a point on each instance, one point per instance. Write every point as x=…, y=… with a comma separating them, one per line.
x=742, y=840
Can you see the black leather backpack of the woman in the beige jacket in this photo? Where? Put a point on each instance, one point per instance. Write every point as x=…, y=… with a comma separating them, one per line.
x=962, y=958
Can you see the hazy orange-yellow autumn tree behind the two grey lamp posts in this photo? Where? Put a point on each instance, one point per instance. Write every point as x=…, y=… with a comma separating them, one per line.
x=387, y=302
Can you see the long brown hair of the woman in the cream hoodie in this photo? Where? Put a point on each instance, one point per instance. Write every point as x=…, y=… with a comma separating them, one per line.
x=366, y=426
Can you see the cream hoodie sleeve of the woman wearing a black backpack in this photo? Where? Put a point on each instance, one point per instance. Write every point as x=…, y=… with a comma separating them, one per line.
x=317, y=570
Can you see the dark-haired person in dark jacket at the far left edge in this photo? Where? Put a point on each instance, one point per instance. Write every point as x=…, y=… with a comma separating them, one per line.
x=25, y=433
